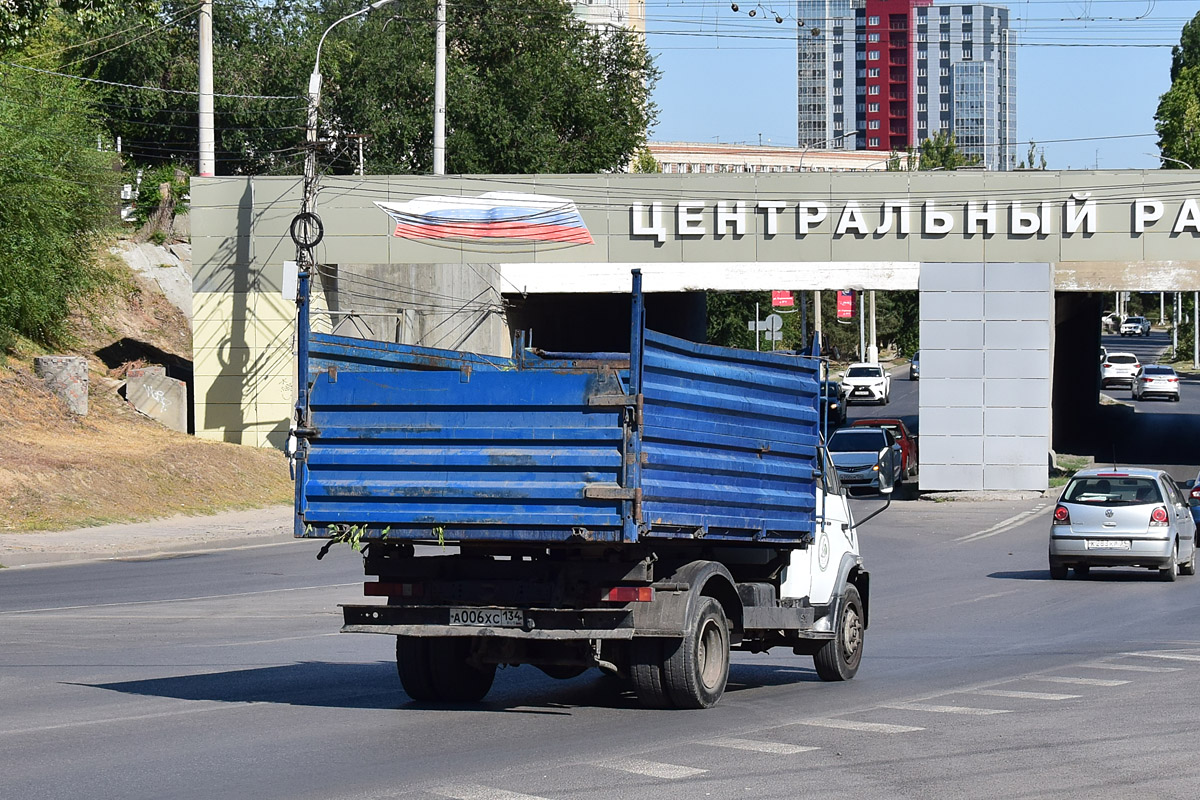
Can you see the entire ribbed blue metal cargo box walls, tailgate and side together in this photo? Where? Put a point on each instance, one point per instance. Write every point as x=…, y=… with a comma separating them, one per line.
x=405, y=442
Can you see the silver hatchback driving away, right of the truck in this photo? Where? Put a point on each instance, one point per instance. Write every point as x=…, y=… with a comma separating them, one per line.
x=1123, y=518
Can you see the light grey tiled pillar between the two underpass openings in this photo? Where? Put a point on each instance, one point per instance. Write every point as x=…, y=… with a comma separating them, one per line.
x=986, y=347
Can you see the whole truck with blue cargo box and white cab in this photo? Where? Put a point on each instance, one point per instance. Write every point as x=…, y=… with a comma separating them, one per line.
x=640, y=513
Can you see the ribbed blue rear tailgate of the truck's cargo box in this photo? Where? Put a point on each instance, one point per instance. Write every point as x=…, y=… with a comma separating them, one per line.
x=409, y=441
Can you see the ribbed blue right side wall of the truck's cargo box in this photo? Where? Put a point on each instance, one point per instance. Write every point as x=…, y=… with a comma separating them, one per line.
x=730, y=443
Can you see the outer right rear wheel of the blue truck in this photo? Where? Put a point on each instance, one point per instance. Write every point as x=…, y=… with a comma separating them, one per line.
x=699, y=669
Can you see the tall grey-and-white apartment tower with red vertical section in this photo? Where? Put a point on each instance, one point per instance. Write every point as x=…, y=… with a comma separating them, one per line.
x=885, y=75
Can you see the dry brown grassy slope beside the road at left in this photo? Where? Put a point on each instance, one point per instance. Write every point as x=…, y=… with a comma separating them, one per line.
x=59, y=471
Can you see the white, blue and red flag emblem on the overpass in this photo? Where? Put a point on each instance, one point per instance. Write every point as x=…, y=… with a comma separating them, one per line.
x=495, y=215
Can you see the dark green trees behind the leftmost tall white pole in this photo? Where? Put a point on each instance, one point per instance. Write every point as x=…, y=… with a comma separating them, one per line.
x=259, y=51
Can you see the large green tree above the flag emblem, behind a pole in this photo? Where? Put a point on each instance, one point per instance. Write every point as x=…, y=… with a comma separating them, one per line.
x=530, y=91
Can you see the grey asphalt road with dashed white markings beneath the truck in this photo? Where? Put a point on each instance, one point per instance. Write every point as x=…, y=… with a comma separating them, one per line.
x=223, y=676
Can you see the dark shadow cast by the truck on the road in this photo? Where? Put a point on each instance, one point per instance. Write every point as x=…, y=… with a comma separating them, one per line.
x=524, y=690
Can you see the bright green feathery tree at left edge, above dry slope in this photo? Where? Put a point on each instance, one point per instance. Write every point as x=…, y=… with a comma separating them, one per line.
x=58, y=196
